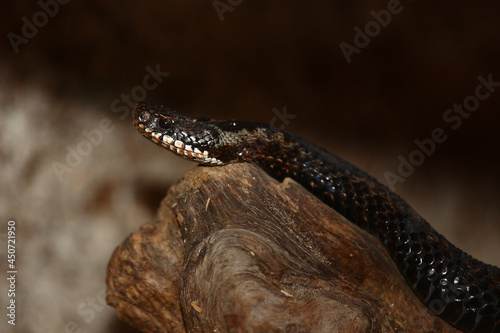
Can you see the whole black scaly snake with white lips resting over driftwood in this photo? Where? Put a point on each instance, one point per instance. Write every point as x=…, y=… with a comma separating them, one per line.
x=458, y=288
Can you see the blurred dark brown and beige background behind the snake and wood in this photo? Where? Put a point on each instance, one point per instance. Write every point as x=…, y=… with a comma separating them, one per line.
x=261, y=56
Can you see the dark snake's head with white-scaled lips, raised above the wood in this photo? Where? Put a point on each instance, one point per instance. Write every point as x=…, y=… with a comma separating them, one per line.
x=192, y=139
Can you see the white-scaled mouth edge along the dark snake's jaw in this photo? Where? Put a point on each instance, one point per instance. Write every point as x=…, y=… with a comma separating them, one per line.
x=176, y=146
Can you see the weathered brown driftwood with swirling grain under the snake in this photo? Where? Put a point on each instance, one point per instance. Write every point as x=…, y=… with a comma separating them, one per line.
x=231, y=249
